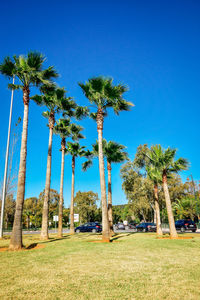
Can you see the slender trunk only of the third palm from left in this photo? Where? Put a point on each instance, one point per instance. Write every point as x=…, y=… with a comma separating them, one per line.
x=61, y=190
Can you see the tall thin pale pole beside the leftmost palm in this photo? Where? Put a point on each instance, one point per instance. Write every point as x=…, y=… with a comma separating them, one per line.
x=6, y=165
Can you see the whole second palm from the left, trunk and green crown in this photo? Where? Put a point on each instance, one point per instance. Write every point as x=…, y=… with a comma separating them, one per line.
x=55, y=100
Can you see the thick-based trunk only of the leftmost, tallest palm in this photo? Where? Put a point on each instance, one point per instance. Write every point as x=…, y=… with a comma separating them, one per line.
x=16, y=236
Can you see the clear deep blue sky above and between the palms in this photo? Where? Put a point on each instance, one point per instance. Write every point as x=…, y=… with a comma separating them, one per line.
x=152, y=46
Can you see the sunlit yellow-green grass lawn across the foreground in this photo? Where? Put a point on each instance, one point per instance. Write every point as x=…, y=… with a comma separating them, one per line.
x=134, y=266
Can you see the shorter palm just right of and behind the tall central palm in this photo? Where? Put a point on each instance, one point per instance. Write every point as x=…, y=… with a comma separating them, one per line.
x=113, y=152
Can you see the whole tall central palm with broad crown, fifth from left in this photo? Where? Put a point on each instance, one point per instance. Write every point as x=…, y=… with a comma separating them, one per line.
x=103, y=94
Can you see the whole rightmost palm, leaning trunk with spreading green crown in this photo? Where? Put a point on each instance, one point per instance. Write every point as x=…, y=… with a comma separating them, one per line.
x=164, y=163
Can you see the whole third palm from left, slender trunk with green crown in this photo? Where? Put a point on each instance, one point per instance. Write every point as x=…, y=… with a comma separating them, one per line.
x=65, y=129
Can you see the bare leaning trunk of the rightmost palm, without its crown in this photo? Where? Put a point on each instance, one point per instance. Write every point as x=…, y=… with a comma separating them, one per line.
x=172, y=227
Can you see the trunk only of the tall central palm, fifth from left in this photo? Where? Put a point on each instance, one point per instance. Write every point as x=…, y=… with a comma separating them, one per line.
x=105, y=221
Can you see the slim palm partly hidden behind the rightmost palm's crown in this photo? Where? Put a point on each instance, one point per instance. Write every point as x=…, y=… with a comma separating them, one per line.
x=155, y=176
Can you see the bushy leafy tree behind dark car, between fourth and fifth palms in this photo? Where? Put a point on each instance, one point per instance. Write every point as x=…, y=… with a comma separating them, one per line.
x=85, y=204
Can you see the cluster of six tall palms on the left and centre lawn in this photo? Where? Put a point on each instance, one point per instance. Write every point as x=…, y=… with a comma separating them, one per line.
x=30, y=72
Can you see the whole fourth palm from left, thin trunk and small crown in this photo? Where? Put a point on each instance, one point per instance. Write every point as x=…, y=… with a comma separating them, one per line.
x=75, y=150
